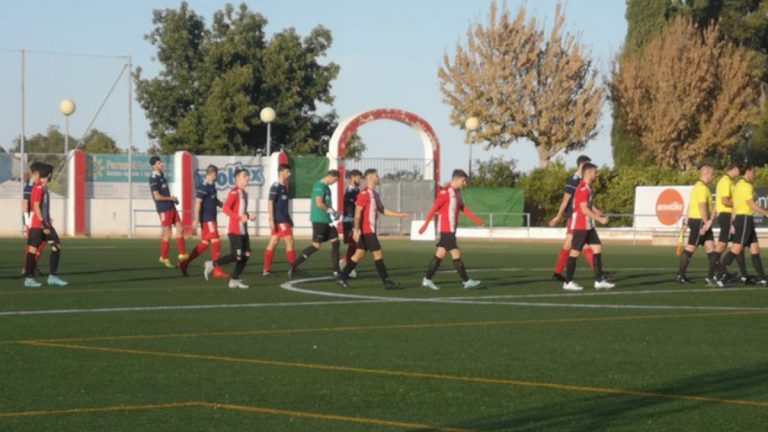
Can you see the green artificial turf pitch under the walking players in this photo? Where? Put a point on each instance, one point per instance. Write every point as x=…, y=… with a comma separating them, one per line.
x=132, y=346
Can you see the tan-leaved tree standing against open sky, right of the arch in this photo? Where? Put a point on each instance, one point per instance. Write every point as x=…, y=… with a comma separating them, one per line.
x=523, y=84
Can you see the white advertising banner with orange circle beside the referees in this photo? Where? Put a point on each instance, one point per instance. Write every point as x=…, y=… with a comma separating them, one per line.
x=660, y=206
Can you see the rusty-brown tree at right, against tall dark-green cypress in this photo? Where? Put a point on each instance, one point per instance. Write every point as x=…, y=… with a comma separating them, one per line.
x=688, y=97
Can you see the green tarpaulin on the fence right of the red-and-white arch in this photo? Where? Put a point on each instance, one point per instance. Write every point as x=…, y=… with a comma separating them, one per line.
x=499, y=201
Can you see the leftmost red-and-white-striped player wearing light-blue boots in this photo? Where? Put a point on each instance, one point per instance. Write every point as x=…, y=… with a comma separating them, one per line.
x=41, y=230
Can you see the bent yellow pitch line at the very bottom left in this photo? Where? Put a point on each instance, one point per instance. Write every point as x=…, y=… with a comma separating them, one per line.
x=238, y=408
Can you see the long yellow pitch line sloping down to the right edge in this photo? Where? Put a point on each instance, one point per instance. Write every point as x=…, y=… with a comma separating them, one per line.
x=407, y=374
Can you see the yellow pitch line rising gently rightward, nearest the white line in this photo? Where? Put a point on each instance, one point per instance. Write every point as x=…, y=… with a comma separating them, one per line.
x=399, y=327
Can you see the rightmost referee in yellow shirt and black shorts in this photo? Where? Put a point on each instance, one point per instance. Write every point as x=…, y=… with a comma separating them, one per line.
x=744, y=206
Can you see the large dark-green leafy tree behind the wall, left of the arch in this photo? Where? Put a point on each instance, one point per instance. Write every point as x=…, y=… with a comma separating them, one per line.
x=215, y=80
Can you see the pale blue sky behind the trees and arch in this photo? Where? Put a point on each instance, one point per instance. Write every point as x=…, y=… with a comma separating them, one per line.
x=389, y=53
